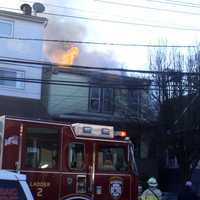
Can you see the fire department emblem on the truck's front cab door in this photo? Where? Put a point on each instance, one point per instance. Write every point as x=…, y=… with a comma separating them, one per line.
x=116, y=187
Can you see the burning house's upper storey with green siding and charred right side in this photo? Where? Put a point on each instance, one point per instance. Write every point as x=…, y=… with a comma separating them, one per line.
x=91, y=95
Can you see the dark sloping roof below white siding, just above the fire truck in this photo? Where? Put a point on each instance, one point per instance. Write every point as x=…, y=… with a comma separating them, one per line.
x=22, y=107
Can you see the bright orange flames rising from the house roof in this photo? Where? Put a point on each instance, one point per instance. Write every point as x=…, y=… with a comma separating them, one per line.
x=65, y=57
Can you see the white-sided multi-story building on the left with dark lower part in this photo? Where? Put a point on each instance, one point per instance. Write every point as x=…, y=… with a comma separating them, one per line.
x=14, y=92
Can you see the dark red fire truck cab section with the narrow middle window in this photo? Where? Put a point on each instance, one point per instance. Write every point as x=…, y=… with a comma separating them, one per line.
x=78, y=168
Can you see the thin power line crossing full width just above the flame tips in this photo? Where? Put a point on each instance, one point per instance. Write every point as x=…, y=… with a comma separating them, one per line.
x=97, y=43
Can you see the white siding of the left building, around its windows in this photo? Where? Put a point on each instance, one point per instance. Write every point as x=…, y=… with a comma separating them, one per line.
x=19, y=49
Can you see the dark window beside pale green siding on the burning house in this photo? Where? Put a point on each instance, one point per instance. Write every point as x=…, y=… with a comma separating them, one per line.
x=101, y=100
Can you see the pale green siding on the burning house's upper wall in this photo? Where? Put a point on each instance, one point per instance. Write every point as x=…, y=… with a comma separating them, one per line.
x=67, y=99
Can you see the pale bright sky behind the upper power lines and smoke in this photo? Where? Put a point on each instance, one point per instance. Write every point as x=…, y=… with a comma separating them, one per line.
x=115, y=21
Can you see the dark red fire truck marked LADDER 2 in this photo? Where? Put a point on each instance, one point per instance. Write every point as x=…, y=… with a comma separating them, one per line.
x=69, y=161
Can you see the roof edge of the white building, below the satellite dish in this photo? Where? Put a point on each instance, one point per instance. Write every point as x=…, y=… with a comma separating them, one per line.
x=21, y=16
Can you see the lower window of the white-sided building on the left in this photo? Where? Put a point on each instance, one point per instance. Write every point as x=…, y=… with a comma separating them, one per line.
x=12, y=75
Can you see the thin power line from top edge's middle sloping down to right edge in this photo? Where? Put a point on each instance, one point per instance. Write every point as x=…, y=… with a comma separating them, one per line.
x=147, y=7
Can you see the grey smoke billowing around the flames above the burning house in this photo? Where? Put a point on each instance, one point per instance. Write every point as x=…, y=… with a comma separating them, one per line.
x=64, y=29
